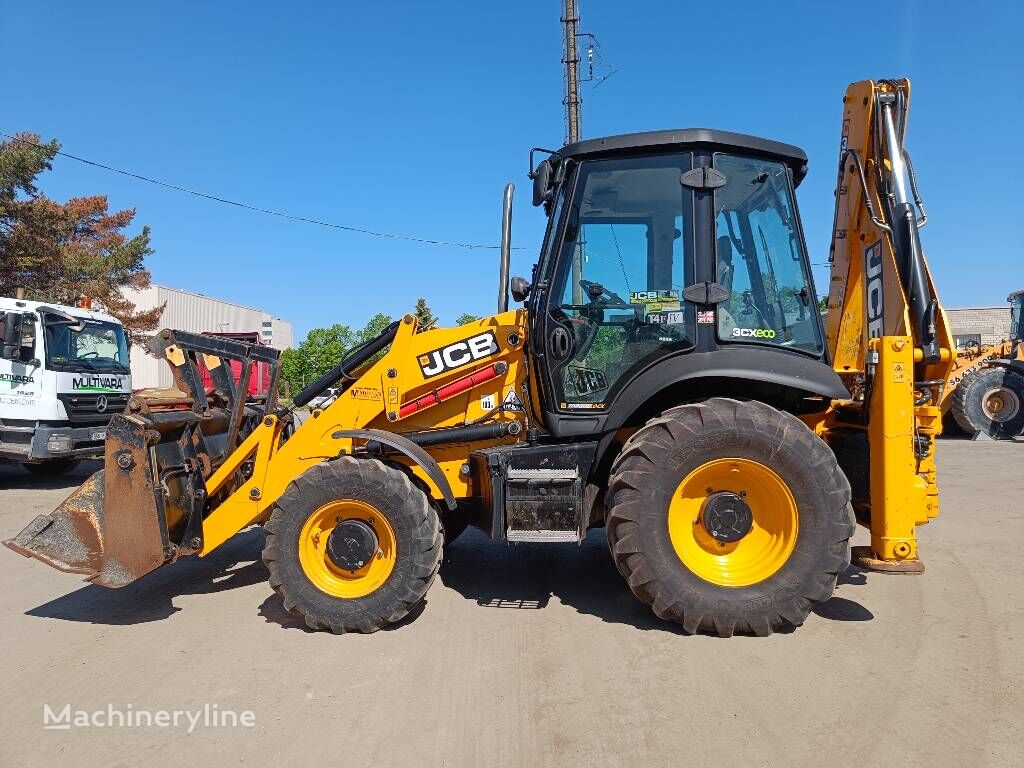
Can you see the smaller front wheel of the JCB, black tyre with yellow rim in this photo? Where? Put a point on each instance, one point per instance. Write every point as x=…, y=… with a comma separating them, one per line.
x=353, y=545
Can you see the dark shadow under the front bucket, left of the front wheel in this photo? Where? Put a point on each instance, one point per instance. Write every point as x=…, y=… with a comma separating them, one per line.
x=236, y=565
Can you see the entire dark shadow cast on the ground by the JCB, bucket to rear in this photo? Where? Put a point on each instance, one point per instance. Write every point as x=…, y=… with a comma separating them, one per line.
x=496, y=576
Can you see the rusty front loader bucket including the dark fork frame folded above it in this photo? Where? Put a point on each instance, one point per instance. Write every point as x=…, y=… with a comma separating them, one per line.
x=146, y=507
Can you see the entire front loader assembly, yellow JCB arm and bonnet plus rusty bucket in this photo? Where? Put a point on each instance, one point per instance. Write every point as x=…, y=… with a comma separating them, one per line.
x=186, y=470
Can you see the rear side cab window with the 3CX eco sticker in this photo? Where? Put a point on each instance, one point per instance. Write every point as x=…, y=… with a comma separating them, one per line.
x=760, y=260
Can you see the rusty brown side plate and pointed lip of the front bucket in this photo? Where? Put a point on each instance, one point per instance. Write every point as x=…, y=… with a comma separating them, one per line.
x=111, y=529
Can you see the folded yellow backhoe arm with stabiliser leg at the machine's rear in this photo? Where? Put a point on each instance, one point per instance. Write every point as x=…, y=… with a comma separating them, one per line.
x=887, y=334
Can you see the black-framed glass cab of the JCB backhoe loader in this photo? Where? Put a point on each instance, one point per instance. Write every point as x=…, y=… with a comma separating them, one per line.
x=674, y=267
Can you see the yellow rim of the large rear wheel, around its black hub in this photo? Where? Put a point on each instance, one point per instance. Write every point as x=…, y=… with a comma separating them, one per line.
x=758, y=554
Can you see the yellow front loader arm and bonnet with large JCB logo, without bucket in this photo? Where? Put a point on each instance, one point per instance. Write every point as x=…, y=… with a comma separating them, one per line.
x=415, y=389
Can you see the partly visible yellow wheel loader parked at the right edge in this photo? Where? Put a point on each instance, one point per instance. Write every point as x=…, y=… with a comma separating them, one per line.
x=985, y=392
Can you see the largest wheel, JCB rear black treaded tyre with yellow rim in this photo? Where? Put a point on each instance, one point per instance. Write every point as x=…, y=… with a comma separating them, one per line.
x=730, y=517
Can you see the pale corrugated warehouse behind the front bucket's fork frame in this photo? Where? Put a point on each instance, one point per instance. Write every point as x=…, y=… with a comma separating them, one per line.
x=197, y=314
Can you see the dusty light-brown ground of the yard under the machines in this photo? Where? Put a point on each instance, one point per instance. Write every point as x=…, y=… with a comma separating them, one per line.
x=535, y=655
